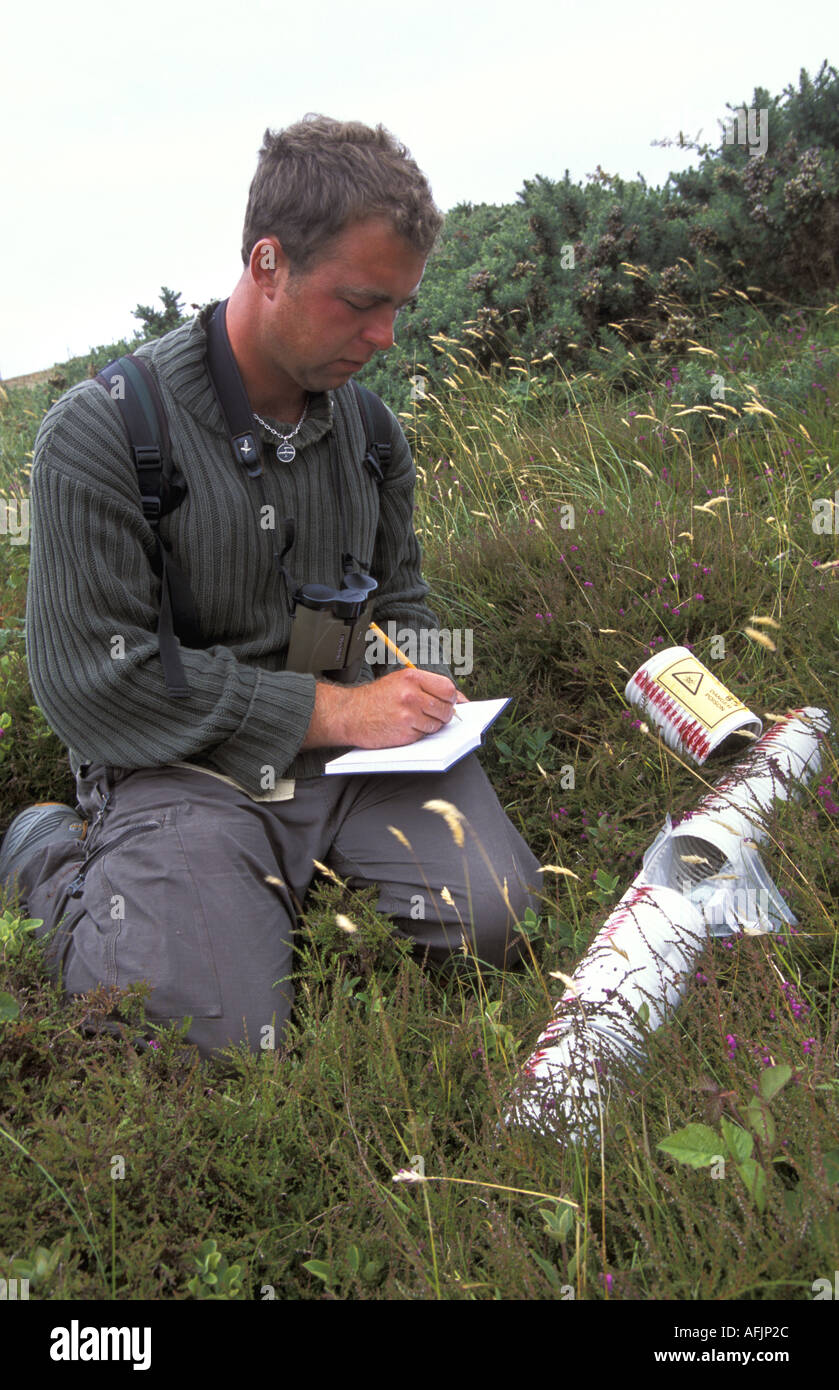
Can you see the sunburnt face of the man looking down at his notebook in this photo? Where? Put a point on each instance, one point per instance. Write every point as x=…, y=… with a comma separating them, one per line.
x=324, y=325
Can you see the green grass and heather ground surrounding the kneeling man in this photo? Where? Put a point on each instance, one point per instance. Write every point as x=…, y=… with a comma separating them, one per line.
x=276, y=1172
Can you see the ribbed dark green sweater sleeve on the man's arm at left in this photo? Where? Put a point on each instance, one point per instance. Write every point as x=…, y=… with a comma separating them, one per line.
x=92, y=625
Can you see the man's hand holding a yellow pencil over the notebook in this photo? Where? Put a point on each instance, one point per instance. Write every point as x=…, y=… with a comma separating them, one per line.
x=390, y=712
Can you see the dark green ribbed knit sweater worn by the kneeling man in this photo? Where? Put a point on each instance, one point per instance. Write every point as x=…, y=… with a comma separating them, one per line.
x=92, y=603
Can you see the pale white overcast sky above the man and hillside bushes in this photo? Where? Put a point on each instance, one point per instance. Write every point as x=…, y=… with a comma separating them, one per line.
x=131, y=131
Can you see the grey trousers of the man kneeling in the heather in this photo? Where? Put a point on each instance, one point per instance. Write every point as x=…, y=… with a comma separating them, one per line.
x=170, y=885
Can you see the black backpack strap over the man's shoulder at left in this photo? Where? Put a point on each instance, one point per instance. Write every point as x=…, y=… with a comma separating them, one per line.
x=130, y=383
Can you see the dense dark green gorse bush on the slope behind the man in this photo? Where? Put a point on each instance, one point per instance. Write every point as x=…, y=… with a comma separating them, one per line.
x=572, y=270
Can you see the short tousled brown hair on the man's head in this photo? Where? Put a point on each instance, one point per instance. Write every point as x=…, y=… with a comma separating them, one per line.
x=320, y=176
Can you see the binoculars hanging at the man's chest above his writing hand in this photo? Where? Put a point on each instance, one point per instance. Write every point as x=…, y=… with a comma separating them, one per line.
x=330, y=629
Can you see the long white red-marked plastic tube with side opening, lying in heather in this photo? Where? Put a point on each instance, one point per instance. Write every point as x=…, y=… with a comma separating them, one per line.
x=695, y=881
